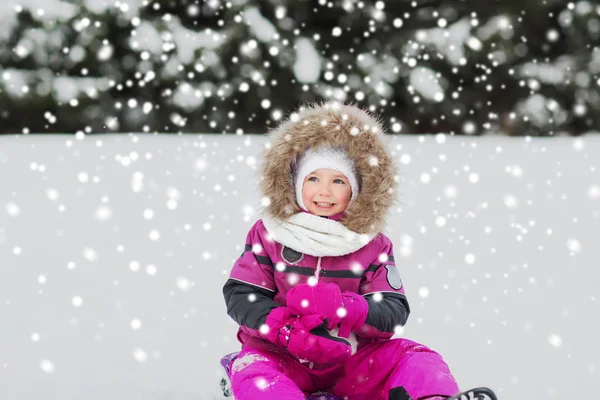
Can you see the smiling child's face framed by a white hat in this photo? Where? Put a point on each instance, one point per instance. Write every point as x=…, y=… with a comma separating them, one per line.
x=326, y=186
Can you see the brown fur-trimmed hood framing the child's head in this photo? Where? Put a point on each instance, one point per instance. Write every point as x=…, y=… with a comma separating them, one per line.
x=337, y=125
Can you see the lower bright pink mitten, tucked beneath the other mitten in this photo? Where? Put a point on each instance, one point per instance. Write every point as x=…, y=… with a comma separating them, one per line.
x=305, y=337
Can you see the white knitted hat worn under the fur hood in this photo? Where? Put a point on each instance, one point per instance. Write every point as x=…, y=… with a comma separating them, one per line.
x=324, y=157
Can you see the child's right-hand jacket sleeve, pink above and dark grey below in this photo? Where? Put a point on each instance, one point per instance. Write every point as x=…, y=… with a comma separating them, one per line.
x=382, y=287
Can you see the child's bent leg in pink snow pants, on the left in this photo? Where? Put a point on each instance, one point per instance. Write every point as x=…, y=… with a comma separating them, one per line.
x=261, y=374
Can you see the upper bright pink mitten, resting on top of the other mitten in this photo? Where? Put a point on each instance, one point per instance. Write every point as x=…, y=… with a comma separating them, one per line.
x=323, y=299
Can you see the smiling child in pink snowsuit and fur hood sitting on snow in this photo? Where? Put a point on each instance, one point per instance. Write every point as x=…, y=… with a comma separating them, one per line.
x=317, y=292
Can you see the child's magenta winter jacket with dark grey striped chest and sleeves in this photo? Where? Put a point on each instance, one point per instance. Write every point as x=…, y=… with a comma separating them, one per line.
x=262, y=276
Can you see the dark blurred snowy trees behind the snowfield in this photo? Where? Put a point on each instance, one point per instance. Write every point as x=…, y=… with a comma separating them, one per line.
x=510, y=67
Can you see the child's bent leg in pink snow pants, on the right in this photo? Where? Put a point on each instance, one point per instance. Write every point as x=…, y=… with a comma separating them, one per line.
x=397, y=363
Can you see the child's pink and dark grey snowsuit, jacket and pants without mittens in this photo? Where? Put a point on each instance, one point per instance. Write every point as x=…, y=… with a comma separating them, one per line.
x=259, y=282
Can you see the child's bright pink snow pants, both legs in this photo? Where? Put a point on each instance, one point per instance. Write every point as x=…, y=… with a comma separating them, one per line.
x=263, y=371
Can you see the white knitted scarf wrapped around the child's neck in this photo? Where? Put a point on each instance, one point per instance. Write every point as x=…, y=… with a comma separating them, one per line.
x=316, y=236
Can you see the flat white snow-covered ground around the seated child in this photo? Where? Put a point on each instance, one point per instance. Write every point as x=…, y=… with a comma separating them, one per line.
x=114, y=249
